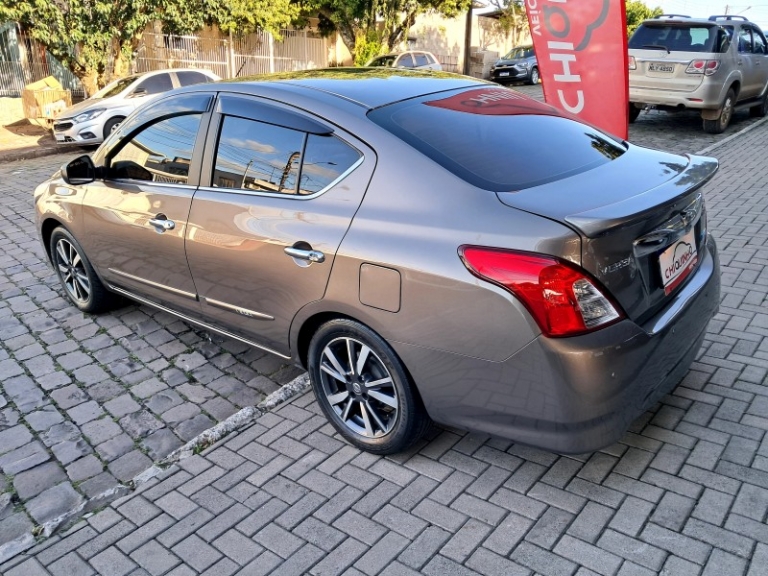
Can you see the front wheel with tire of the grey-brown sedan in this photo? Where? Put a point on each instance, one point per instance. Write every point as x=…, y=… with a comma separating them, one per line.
x=78, y=278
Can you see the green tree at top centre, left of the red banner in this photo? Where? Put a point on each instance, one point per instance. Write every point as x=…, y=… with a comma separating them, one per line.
x=371, y=27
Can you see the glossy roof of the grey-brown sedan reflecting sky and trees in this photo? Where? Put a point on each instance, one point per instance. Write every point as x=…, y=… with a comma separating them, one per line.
x=367, y=87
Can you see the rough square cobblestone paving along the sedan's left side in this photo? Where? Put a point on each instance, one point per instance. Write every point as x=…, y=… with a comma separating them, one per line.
x=86, y=402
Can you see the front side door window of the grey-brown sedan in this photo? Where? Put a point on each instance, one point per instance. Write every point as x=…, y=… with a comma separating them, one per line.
x=162, y=152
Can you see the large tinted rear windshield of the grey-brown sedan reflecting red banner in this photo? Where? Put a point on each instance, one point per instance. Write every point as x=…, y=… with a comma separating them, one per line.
x=496, y=138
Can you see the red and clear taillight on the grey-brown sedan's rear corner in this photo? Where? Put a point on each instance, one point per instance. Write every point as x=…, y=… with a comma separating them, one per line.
x=562, y=298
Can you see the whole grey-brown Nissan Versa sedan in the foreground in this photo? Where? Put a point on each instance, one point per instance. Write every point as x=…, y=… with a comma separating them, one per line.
x=428, y=246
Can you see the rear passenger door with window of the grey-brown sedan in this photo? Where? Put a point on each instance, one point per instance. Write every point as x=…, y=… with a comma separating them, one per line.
x=278, y=192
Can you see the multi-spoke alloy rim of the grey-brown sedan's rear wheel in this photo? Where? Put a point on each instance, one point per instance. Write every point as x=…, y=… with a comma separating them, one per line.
x=358, y=387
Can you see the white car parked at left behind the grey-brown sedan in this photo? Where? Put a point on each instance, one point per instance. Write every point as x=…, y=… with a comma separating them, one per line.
x=92, y=120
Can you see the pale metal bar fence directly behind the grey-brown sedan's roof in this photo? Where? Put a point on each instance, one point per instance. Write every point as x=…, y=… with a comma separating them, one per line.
x=236, y=56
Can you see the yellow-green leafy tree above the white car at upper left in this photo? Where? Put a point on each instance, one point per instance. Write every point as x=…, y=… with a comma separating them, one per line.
x=88, y=35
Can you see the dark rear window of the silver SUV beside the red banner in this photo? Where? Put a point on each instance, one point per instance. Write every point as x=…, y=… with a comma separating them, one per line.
x=675, y=37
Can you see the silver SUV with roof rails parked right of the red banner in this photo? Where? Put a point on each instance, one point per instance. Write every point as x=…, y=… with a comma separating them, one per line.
x=716, y=66
